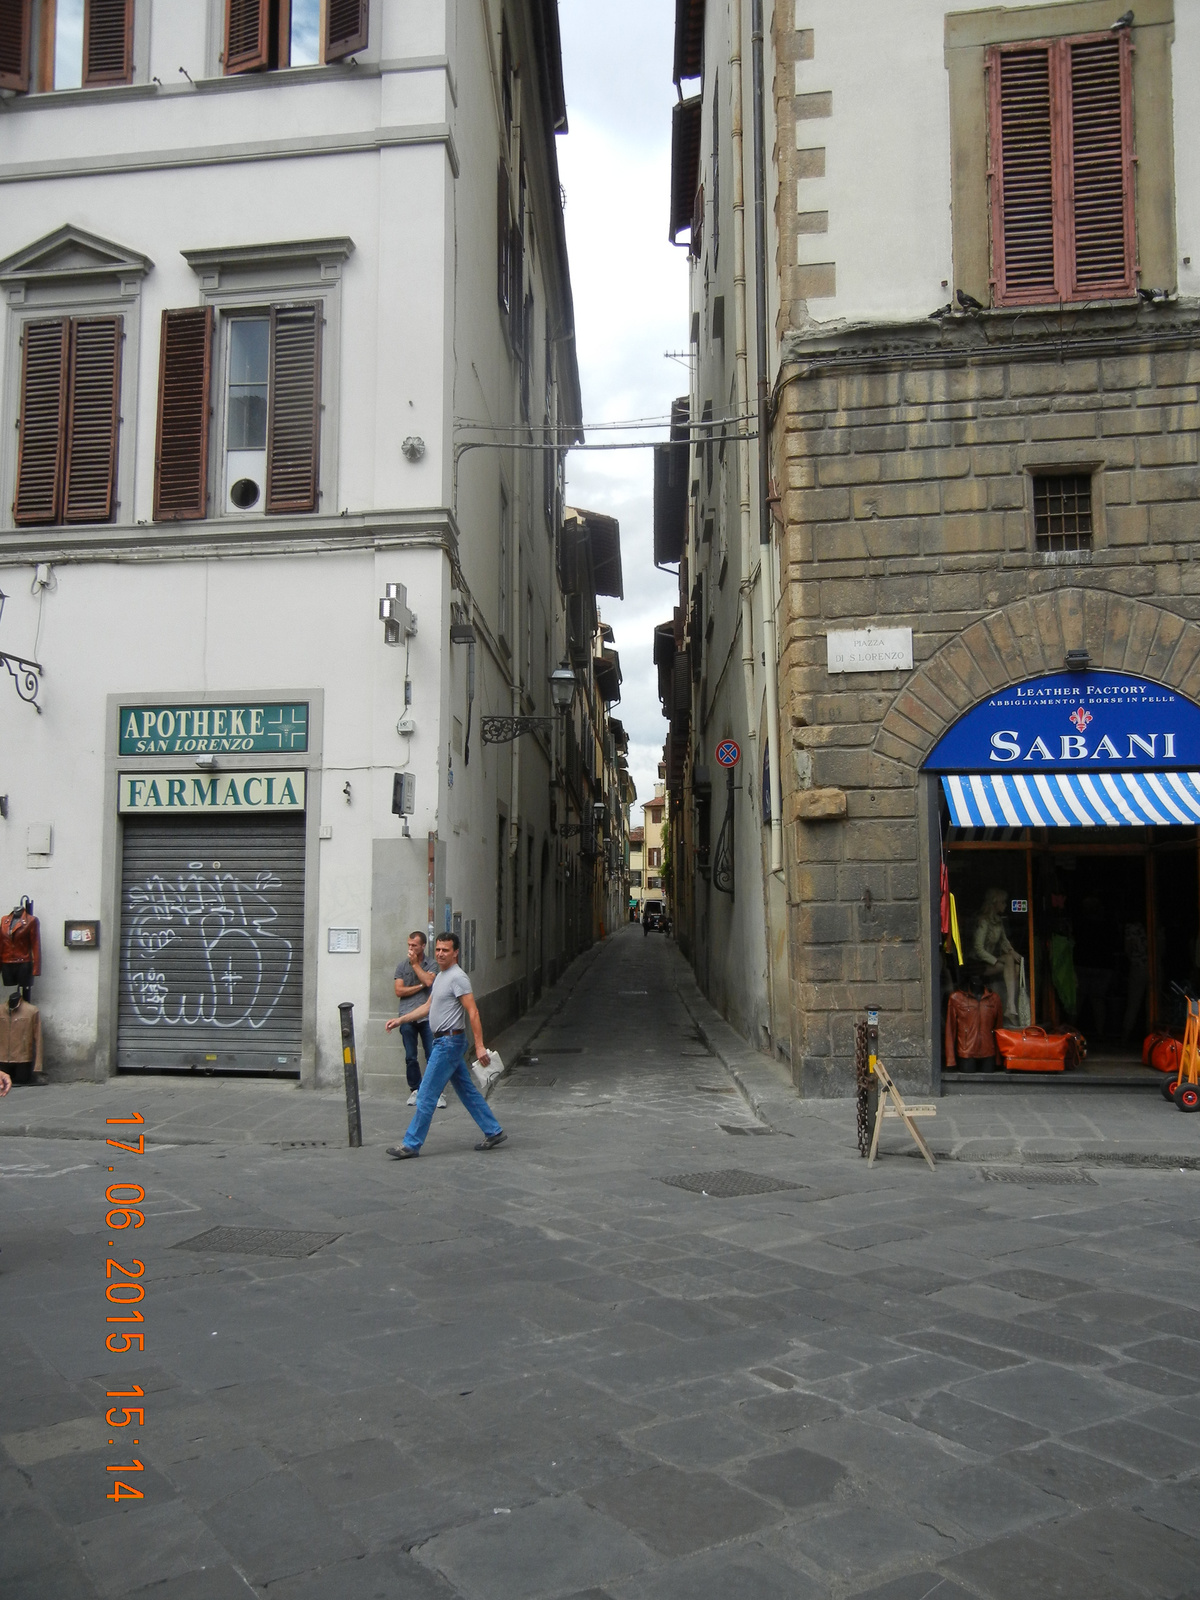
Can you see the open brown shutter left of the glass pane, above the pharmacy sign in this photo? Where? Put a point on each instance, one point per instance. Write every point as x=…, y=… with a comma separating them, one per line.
x=182, y=450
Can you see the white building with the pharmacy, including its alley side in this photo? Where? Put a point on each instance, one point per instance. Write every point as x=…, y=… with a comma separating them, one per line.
x=268, y=273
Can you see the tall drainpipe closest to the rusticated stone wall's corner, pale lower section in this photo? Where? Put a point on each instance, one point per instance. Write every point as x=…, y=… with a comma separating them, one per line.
x=766, y=537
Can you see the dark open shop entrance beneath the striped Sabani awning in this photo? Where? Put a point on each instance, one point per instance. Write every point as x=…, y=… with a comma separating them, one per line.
x=1102, y=927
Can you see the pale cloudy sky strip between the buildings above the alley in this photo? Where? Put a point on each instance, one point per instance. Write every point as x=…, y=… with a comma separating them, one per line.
x=631, y=306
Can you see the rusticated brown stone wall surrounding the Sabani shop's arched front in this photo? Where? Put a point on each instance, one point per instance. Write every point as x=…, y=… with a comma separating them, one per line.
x=906, y=484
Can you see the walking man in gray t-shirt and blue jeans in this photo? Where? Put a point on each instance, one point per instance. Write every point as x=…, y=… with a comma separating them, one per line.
x=452, y=1012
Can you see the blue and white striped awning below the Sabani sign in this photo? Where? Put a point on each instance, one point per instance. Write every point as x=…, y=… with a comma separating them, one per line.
x=1073, y=799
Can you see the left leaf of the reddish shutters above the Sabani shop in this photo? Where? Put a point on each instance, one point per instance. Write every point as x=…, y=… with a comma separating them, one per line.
x=1023, y=175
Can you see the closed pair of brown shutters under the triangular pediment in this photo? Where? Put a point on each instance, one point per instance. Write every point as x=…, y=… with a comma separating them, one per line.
x=68, y=422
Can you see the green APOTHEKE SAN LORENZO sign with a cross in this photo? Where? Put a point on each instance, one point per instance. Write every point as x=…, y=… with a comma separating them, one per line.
x=239, y=727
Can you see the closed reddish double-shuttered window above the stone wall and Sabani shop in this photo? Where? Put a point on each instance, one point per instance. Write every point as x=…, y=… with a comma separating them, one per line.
x=1062, y=170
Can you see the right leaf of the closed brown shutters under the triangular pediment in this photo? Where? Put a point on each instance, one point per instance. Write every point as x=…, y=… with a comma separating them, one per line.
x=94, y=418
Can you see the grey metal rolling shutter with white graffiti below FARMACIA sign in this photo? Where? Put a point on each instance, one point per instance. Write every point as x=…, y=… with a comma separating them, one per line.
x=212, y=946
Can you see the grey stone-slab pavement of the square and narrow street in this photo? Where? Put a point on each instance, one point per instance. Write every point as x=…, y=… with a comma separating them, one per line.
x=551, y=1372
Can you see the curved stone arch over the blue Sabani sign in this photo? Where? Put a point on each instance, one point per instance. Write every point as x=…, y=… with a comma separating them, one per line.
x=1025, y=641
